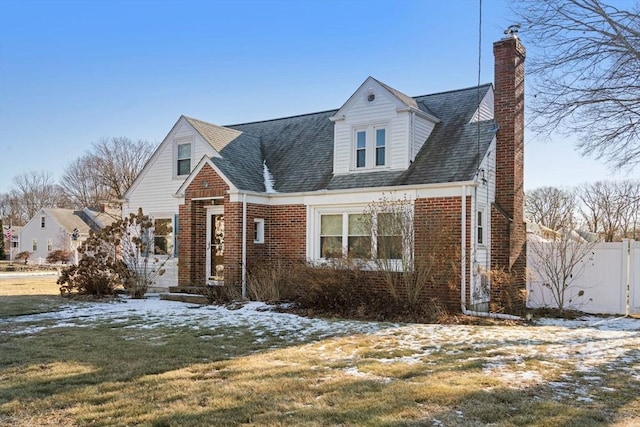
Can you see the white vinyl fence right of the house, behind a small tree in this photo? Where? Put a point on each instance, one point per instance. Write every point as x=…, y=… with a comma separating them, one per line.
x=601, y=286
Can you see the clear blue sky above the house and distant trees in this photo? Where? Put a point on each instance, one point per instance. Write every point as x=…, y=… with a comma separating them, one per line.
x=72, y=72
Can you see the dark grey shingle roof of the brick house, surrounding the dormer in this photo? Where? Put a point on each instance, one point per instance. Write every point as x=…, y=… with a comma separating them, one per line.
x=299, y=150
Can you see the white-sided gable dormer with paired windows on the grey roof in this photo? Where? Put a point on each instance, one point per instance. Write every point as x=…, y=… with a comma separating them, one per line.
x=378, y=128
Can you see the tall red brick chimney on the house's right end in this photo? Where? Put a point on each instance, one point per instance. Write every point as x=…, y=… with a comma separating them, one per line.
x=508, y=243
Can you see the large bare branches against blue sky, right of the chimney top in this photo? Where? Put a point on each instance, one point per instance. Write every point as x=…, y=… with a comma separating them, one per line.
x=585, y=73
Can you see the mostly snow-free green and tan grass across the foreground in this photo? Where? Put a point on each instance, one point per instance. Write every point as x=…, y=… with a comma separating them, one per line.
x=111, y=374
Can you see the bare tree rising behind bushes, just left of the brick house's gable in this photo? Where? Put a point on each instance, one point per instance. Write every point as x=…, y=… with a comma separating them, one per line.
x=118, y=161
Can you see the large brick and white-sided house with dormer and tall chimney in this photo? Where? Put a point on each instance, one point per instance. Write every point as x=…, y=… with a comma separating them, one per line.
x=289, y=187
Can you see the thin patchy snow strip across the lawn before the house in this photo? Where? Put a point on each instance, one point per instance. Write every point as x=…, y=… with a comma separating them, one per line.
x=569, y=356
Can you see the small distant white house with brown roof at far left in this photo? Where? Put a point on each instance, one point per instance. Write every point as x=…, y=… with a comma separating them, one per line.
x=53, y=228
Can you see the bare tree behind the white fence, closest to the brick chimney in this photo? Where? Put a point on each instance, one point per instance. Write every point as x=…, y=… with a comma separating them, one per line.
x=550, y=206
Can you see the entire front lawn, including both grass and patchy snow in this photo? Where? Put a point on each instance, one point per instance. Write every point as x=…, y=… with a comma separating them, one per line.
x=160, y=363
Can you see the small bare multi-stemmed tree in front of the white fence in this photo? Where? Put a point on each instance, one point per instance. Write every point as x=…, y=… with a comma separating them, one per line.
x=555, y=266
